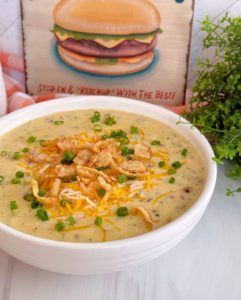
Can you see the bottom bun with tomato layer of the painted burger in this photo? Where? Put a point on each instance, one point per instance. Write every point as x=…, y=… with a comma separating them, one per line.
x=91, y=66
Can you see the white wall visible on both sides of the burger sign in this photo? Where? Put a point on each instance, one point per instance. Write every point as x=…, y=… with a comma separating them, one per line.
x=10, y=27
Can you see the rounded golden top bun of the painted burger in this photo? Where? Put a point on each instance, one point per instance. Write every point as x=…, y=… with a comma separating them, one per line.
x=118, y=17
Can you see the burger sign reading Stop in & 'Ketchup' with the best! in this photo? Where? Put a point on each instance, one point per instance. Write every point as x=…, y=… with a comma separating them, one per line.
x=128, y=48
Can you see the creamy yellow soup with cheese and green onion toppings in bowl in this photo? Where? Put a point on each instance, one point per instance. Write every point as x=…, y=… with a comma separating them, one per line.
x=87, y=176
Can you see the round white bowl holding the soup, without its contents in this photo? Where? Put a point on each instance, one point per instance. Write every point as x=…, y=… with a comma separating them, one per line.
x=95, y=258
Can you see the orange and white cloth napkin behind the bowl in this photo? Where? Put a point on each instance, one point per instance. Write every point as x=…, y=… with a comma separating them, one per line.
x=12, y=91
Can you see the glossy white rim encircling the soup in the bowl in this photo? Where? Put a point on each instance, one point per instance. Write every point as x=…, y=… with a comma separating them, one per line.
x=204, y=197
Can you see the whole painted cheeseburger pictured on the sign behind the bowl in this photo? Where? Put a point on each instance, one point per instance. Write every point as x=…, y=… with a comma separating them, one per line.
x=109, y=37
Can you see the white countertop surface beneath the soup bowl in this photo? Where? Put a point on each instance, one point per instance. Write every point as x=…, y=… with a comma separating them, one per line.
x=205, y=266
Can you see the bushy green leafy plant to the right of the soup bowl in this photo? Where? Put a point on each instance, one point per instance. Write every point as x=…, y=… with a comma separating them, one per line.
x=215, y=106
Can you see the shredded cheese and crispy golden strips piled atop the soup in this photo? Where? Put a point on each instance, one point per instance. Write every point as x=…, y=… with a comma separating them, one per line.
x=80, y=196
